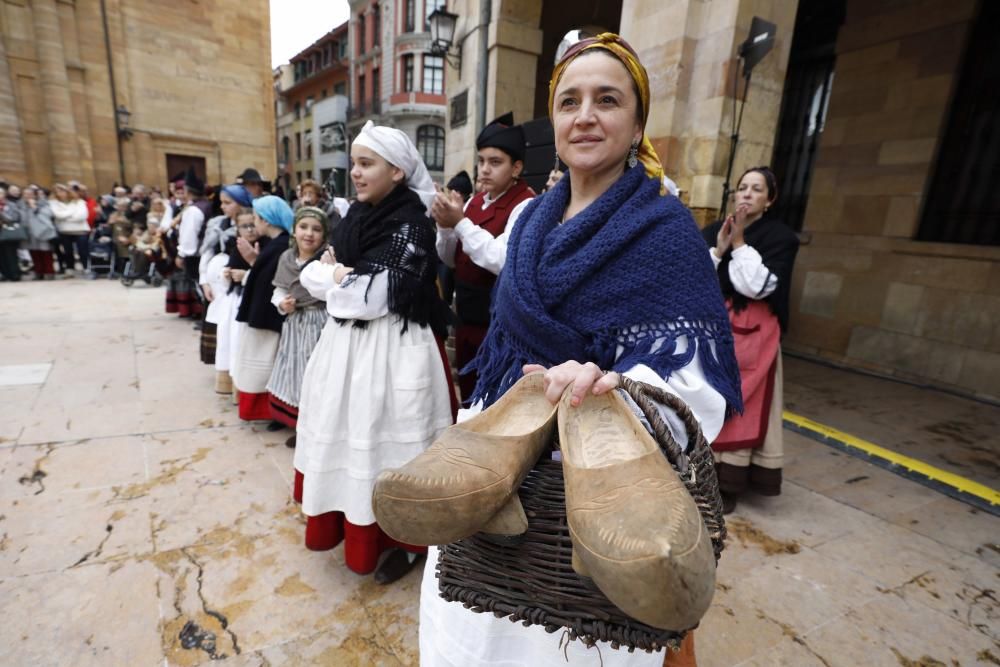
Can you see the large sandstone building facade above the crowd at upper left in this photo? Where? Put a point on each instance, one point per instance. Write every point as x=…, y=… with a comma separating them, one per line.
x=198, y=92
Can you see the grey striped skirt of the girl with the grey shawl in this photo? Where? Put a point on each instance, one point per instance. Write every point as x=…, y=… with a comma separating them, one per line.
x=299, y=336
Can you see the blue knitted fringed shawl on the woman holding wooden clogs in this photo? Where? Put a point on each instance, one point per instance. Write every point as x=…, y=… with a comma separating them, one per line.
x=617, y=285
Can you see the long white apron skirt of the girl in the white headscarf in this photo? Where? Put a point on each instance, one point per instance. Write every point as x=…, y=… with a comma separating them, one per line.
x=371, y=399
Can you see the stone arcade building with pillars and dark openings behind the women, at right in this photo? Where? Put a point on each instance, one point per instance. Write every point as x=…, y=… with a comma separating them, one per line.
x=870, y=289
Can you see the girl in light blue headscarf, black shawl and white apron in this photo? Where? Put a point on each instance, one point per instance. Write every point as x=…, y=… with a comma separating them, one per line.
x=259, y=340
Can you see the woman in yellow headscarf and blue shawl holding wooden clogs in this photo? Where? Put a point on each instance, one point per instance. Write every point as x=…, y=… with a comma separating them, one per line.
x=605, y=274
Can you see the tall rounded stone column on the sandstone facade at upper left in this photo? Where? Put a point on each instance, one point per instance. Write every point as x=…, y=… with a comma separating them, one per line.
x=63, y=144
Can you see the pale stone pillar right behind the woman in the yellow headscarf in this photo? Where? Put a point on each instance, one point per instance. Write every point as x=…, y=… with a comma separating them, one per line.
x=689, y=48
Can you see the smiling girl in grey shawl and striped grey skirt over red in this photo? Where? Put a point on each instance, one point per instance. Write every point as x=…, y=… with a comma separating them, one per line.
x=305, y=316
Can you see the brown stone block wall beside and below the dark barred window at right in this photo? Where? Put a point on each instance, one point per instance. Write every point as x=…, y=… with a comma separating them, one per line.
x=864, y=292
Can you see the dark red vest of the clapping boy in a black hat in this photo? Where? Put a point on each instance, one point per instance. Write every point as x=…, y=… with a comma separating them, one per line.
x=473, y=283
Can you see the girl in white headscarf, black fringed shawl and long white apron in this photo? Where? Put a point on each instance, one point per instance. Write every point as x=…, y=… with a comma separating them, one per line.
x=377, y=390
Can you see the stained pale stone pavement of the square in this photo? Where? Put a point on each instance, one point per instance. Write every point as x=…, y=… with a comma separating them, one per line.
x=141, y=523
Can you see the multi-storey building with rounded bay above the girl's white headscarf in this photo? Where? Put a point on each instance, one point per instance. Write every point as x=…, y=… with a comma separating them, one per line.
x=394, y=80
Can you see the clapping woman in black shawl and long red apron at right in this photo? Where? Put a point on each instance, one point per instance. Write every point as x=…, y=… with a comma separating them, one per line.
x=754, y=253
